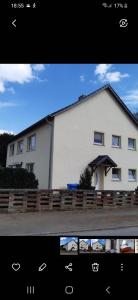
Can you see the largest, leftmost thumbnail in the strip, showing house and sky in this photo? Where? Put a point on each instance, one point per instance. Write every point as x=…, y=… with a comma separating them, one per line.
x=69, y=245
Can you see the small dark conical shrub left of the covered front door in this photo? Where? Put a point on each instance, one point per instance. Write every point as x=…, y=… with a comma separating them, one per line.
x=85, y=179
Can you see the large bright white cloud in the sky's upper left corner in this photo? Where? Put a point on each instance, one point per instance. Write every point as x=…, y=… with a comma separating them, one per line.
x=17, y=73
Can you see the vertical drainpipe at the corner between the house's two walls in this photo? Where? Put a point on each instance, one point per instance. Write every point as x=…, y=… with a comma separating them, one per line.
x=51, y=153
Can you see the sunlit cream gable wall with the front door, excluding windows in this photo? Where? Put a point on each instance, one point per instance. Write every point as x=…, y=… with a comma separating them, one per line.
x=73, y=141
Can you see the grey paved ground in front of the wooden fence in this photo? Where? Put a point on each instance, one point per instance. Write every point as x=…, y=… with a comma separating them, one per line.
x=117, y=221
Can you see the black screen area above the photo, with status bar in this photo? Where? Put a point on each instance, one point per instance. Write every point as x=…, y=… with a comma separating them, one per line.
x=68, y=32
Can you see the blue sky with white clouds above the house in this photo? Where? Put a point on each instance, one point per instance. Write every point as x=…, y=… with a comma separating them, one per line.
x=28, y=92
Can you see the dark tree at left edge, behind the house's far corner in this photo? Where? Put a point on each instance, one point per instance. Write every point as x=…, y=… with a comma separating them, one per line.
x=4, y=140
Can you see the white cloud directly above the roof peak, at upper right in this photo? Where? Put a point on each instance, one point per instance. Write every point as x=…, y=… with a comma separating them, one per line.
x=101, y=71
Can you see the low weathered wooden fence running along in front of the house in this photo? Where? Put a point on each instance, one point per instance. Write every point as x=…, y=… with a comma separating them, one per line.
x=41, y=200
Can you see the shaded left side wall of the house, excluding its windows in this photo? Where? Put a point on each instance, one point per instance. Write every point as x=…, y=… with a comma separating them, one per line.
x=40, y=157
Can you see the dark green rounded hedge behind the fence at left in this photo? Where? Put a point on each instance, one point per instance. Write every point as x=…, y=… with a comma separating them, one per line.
x=17, y=179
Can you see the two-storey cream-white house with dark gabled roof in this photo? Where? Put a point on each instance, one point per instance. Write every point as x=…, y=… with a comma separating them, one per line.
x=97, y=130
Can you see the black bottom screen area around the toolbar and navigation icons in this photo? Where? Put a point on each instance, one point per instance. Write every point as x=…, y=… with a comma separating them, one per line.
x=31, y=252
